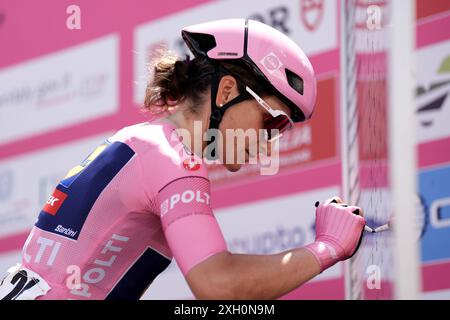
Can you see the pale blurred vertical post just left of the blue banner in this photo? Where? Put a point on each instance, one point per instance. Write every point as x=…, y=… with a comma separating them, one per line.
x=402, y=147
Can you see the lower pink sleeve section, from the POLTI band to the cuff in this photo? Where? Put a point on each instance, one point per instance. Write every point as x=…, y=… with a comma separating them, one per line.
x=189, y=225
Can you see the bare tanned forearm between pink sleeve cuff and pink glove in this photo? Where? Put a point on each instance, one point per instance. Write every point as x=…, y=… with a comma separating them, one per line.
x=242, y=276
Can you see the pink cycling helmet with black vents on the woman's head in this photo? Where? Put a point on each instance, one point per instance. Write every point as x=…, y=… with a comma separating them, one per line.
x=268, y=52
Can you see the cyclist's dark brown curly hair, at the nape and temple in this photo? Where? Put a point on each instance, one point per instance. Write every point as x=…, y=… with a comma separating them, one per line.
x=176, y=81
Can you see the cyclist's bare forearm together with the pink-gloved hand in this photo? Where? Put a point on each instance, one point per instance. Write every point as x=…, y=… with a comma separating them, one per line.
x=339, y=230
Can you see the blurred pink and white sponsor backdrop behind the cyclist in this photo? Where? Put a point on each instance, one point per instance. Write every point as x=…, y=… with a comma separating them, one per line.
x=74, y=72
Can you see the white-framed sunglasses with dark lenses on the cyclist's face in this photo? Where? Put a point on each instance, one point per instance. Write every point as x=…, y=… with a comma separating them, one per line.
x=275, y=122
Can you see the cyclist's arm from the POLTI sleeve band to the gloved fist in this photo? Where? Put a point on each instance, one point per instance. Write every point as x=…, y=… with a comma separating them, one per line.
x=197, y=244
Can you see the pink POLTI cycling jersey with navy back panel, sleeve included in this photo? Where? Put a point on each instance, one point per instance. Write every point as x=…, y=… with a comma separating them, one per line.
x=116, y=220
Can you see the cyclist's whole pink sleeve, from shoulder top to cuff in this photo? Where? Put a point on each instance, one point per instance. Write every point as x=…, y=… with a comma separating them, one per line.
x=176, y=182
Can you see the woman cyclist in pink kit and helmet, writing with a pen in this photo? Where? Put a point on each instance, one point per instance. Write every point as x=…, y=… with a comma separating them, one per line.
x=143, y=197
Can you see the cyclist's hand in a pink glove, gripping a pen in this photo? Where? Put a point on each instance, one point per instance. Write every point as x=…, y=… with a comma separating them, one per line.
x=339, y=230
